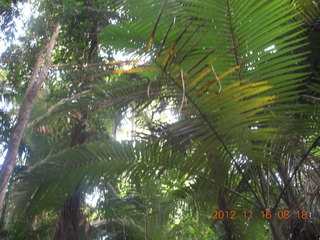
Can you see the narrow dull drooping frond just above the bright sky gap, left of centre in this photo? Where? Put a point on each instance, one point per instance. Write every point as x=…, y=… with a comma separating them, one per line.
x=114, y=95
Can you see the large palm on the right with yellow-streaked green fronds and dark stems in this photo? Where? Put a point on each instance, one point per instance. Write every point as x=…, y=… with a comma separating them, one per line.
x=237, y=67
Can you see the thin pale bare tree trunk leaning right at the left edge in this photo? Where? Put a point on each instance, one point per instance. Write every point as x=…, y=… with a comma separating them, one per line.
x=38, y=76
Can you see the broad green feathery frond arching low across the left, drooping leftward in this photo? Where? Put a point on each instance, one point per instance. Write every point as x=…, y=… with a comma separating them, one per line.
x=77, y=168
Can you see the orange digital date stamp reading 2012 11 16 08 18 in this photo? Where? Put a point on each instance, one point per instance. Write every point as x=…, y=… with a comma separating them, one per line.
x=280, y=214
